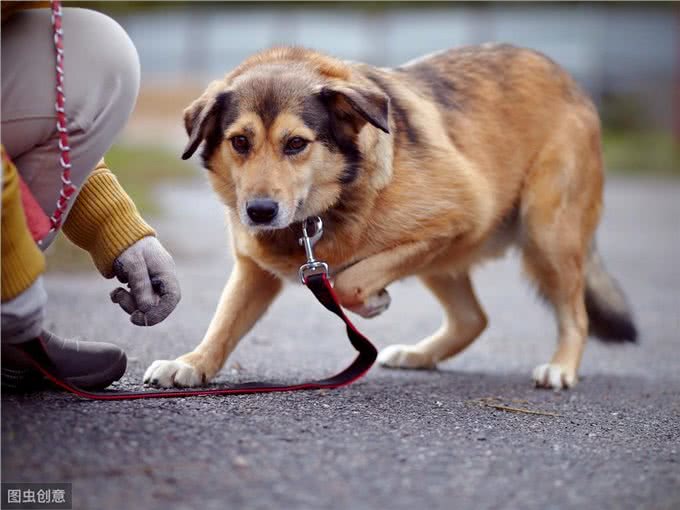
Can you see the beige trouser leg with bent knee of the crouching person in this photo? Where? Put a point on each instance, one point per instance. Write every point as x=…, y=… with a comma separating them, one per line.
x=101, y=82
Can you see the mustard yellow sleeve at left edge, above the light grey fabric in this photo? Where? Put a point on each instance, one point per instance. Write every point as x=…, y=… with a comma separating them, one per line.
x=22, y=261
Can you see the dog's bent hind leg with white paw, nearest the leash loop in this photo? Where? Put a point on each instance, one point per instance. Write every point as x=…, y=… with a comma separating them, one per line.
x=464, y=320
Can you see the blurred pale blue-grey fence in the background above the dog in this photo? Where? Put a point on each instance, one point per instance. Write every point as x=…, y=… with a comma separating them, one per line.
x=626, y=55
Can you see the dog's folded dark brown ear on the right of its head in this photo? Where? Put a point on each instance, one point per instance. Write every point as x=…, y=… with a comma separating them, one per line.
x=358, y=105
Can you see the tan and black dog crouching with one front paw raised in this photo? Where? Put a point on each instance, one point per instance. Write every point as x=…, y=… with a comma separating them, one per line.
x=425, y=169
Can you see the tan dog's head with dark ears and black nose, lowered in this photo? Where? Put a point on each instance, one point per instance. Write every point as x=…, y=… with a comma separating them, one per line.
x=281, y=134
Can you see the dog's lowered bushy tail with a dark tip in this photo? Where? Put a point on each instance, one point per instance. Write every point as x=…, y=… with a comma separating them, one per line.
x=609, y=314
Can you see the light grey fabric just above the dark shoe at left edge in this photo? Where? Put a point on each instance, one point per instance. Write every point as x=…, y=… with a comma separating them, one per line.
x=23, y=316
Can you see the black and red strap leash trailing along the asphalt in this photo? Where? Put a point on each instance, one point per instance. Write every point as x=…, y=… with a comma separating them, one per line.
x=322, y=290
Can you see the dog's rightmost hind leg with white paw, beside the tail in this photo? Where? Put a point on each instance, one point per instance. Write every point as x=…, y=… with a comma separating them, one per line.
x=559, y=212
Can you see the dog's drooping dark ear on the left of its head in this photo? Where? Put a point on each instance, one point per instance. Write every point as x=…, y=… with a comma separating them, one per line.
x=204, y=115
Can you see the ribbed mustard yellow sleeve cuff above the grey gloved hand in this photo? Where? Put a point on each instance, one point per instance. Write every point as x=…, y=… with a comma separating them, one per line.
x=104, y=221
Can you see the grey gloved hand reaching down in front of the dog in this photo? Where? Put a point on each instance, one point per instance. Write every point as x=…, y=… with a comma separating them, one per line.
x=149, y=271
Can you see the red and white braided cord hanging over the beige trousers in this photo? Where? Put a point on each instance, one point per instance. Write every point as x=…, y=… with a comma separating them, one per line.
x=68, y=190
